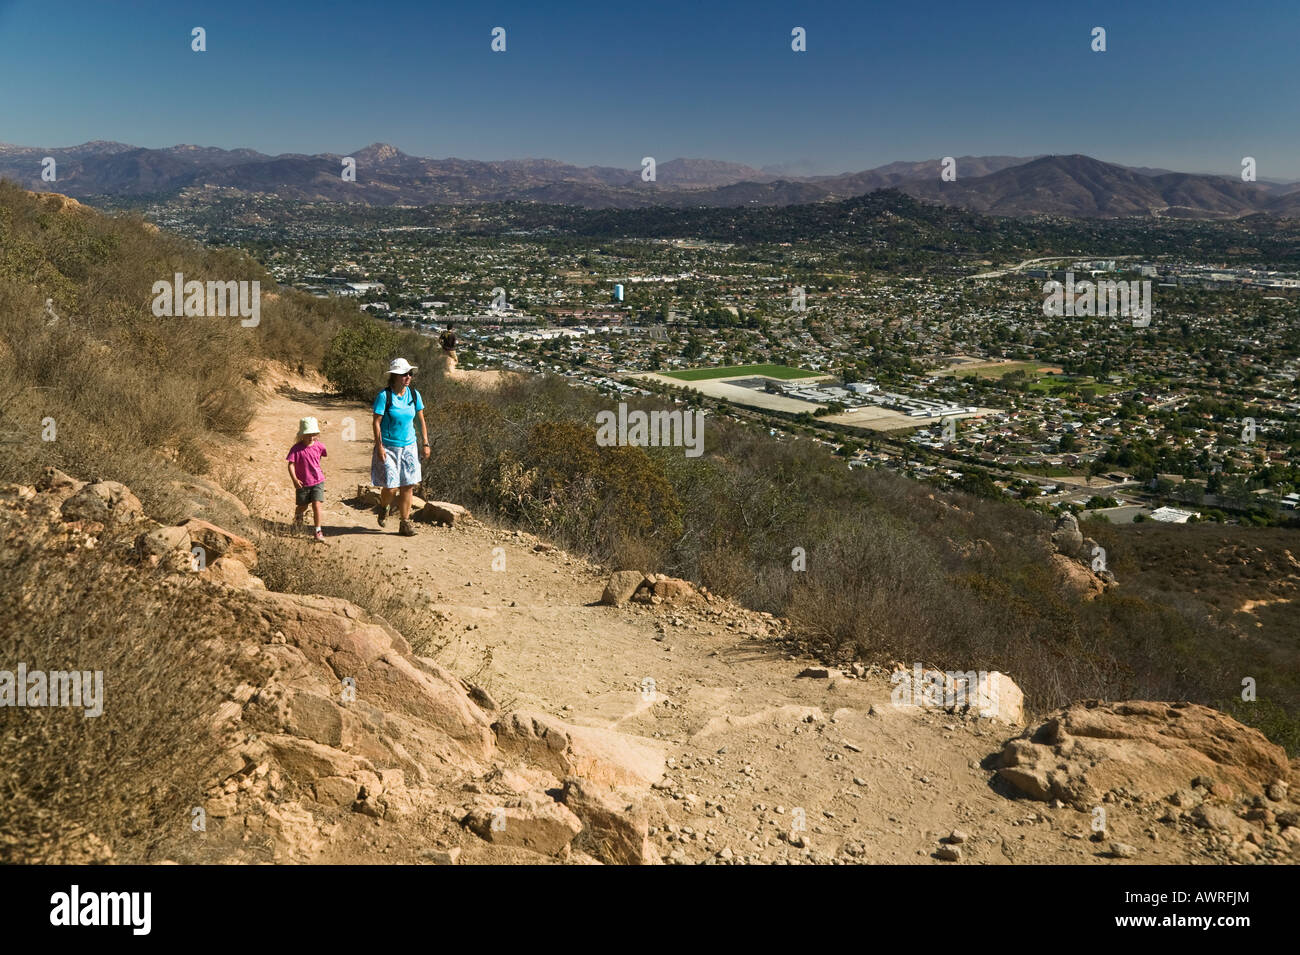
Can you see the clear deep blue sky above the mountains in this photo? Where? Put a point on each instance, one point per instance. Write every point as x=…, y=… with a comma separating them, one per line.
x=1188, y=85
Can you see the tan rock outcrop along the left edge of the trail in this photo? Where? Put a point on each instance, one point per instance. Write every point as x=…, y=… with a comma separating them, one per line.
x=349, y=722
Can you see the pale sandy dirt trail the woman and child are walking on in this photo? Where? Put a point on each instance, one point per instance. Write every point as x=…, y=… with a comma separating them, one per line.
x=749, y=743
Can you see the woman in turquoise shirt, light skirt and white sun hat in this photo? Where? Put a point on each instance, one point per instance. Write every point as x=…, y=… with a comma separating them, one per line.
x=396, y=467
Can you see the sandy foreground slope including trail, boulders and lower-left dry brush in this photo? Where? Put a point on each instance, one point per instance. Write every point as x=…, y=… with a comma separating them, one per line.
x=522, y=726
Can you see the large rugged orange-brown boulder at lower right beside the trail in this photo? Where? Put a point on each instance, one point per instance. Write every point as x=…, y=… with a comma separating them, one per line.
x=1090, y=749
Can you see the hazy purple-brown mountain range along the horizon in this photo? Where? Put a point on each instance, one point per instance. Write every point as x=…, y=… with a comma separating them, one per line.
x=1073, y=186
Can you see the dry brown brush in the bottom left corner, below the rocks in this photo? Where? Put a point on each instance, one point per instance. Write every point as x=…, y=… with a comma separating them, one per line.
x=168, y=654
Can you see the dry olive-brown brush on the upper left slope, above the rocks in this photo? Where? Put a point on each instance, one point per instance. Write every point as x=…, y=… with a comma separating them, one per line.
x=94, y=370
